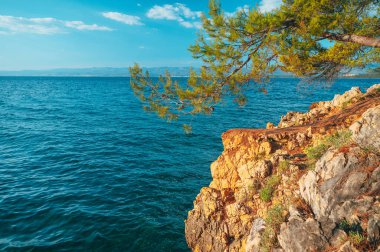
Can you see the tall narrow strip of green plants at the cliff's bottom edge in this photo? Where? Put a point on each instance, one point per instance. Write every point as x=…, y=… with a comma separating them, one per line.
x=273, y=221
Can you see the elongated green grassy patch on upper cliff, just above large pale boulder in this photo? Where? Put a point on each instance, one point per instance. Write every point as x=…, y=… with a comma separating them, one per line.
x=336, y=140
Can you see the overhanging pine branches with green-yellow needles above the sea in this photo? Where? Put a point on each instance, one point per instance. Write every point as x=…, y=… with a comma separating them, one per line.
x=244, y=49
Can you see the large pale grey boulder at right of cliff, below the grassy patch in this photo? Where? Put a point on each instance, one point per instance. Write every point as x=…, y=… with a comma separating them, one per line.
x=332, y=190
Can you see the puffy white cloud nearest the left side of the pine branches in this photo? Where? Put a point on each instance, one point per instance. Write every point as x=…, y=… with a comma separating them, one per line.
x=176, y=12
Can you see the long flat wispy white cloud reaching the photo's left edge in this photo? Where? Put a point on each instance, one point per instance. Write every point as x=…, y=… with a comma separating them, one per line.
x=43, y=26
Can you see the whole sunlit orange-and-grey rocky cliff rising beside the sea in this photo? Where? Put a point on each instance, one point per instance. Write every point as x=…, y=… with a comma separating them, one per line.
x=311, y=183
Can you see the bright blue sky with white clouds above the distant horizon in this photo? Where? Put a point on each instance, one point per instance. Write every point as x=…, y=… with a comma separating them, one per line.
x=49, y=34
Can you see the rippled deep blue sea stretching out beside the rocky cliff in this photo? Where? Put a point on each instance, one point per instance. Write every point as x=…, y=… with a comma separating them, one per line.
x=84, y=168
